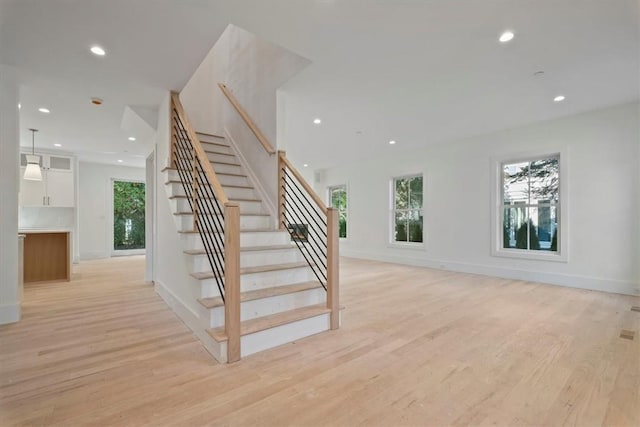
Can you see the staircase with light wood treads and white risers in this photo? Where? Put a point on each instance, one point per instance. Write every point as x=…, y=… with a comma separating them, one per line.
x=280, y=298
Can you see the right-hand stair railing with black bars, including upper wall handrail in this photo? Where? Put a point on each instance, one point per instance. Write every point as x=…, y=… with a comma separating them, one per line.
x=312, y=226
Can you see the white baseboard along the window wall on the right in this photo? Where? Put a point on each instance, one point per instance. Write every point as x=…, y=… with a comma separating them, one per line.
x=569, y=280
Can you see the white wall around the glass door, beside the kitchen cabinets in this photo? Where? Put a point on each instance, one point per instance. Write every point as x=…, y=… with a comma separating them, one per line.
x=95, y=205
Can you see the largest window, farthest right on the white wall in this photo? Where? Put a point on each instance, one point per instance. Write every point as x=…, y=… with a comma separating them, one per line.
x=530, y=205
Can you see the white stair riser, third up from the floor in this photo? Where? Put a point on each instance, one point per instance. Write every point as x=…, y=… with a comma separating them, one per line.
x=250, y=282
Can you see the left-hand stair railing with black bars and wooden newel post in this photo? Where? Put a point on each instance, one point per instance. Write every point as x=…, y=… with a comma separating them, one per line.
x=215, y=218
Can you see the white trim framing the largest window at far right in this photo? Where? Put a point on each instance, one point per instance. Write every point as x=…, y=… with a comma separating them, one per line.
x=562, y=255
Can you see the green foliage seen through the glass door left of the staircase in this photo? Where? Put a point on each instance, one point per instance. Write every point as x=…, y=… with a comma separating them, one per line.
x=128, y=215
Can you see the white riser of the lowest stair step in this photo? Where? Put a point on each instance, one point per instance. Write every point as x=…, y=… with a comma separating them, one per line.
x=283, y=334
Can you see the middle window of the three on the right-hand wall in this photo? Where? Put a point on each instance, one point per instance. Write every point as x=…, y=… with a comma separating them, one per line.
x=407, y=209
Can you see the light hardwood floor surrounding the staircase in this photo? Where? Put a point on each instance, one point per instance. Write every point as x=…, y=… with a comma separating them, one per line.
x=416, y=347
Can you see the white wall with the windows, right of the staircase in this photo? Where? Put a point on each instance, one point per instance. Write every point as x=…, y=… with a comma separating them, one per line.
x=603, y=153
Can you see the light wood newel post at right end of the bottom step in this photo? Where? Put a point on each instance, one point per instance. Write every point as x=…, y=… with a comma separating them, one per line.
x=333, y=261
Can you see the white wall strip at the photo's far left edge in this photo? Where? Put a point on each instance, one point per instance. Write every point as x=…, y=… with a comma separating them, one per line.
x=10, y=293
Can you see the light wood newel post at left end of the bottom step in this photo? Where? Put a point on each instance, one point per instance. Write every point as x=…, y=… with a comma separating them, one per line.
x=232, y=279
